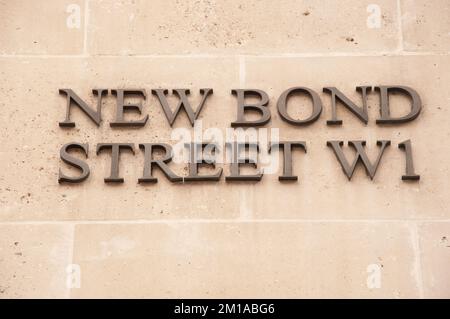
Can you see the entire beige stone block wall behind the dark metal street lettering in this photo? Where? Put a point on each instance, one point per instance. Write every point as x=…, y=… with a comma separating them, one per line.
x=311, y=238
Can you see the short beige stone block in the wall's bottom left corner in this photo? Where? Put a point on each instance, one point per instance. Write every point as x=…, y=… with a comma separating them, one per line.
x=33, y=260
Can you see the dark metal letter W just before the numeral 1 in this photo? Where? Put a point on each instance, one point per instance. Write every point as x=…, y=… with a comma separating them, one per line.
x=361, y=156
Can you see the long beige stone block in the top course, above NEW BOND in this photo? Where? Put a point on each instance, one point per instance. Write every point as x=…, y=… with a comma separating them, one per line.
x=239, y=26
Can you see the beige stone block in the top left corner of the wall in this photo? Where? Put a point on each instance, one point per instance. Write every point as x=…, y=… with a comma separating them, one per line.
x=40, y=27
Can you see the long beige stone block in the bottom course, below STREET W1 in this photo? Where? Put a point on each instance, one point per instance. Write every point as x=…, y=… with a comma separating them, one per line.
x=242, y=260
